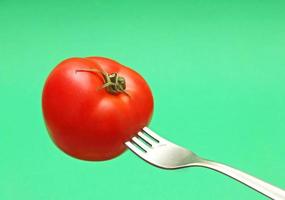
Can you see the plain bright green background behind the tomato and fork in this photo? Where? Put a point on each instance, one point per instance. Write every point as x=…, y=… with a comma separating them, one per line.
x=217, y=72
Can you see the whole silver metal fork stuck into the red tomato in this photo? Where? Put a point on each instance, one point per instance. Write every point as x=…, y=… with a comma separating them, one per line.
x=166, y=155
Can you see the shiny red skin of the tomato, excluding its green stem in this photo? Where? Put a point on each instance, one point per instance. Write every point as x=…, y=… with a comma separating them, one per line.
x=89, y=123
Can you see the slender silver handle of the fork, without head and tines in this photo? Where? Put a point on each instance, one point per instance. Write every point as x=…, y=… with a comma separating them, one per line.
x=263, y=187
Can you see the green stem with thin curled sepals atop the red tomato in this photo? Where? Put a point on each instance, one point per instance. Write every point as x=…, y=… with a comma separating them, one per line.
x=113, y=83
